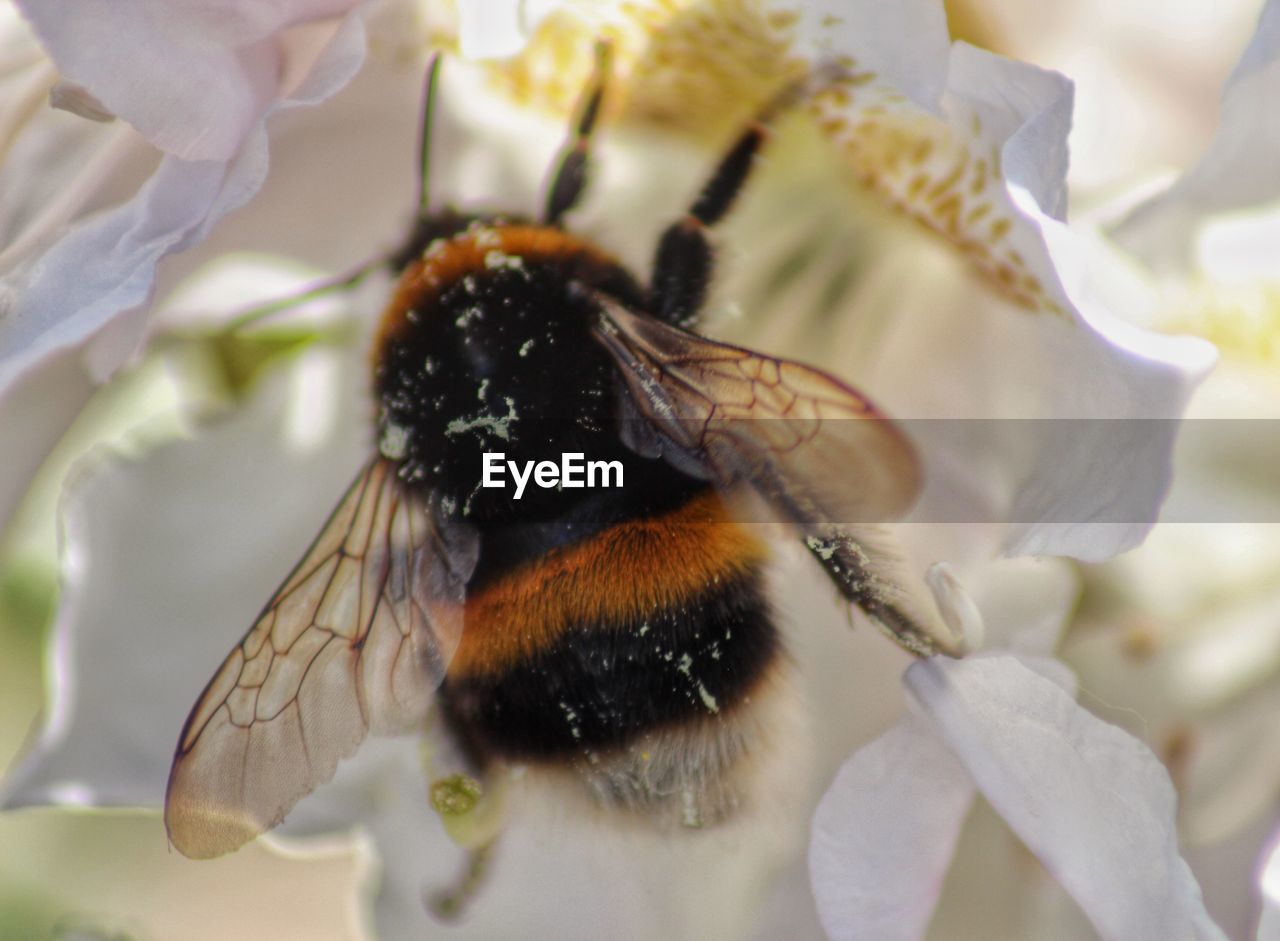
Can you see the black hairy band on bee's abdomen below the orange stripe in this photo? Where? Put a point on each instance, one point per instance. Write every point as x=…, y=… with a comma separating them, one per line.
x=601, y=687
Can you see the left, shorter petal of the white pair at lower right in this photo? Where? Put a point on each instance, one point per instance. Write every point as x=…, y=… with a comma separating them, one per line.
x=885, y=833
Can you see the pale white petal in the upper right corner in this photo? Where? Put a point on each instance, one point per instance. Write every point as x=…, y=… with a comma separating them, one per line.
x=1241, y=170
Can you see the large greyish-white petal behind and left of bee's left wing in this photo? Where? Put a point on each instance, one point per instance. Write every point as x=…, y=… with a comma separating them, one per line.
x=167, y=563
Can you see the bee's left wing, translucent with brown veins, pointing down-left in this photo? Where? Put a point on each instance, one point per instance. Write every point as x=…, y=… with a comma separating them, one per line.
x=355, y=642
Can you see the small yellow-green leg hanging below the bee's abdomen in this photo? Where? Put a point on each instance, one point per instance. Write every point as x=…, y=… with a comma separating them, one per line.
x=473, y=816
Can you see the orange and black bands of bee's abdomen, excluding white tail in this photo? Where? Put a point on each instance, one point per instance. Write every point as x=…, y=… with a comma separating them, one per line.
x=651, y=624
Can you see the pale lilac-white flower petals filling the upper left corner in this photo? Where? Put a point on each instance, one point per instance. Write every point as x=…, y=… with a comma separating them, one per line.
x=198, y=83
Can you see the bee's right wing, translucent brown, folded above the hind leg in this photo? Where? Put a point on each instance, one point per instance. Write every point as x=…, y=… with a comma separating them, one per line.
x=817, y=450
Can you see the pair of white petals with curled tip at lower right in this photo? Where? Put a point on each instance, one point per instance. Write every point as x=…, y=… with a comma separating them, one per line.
x=1091, y=802
